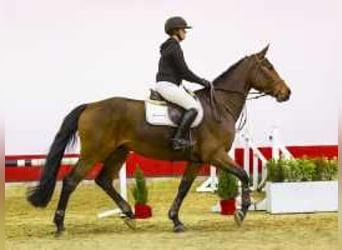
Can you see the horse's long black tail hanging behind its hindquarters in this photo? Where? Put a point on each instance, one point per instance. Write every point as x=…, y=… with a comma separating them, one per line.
x=40, y=195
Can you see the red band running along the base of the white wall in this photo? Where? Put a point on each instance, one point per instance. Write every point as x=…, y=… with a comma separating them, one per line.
x=154, y=168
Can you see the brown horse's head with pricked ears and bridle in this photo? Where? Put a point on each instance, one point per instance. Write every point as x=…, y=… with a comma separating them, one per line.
x=264, y=78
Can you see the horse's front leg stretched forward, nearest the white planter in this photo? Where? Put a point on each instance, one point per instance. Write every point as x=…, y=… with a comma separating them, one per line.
x=223, y=161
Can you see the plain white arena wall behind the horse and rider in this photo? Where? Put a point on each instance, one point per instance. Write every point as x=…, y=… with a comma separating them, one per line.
x=58, y=54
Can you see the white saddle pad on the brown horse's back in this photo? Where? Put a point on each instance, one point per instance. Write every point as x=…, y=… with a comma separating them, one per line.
x=157, y=114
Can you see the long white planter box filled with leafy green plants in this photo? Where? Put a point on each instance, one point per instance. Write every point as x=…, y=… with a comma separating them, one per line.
x=302, y=185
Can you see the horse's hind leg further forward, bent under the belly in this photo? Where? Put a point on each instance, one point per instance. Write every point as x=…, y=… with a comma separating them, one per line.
x=110, y=170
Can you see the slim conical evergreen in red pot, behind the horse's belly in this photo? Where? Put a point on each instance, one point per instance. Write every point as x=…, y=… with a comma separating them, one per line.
x=140, y=195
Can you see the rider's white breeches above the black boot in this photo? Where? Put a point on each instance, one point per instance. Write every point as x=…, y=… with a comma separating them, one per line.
x=176, y=94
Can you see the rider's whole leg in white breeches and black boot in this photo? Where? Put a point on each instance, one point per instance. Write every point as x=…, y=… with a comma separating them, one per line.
x=179, y=96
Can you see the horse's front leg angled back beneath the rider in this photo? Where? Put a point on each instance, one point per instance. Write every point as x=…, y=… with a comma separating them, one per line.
x=188, y=178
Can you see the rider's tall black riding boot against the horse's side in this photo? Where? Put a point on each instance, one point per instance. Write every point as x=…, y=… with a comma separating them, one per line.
x=178, y=141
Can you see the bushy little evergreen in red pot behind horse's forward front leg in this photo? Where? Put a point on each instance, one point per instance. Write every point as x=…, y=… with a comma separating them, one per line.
x=227, y=190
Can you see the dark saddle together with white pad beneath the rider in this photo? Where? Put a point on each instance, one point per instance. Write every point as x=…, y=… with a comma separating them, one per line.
x=161, y=112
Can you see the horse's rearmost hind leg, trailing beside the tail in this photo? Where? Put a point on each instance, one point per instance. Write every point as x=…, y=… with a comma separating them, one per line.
x=70, y=183
